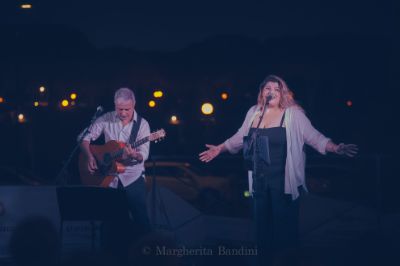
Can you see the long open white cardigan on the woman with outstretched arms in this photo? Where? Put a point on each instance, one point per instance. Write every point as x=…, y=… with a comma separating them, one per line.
x=298, y=131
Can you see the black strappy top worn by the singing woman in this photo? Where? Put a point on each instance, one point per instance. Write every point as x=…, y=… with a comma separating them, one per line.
x=271, y=175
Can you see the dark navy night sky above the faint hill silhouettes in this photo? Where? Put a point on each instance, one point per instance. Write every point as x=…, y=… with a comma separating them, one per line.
x=172, y=25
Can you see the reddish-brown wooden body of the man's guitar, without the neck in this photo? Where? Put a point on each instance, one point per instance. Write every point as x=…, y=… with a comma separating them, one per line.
x=107, y=169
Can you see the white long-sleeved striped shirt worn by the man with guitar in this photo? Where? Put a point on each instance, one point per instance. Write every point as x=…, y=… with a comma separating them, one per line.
x=111, y=126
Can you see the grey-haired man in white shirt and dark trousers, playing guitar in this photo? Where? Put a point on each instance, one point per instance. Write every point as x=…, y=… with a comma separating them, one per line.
x=116, y=127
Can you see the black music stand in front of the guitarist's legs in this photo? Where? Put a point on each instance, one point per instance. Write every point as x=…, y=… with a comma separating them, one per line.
x=88, y=203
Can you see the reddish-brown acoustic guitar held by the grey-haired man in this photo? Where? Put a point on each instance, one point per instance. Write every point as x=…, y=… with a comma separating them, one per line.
x=109, y=160
